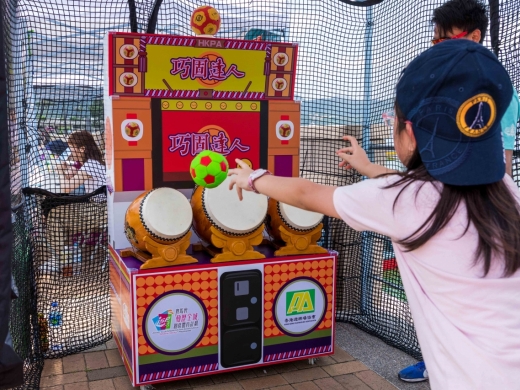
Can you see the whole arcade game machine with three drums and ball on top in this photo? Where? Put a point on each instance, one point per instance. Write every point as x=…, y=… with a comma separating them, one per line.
x=230, y=299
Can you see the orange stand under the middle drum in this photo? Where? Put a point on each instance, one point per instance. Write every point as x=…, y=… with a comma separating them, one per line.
x=235, y=247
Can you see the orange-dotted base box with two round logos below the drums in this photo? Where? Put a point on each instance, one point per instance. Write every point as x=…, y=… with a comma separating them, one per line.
x=186, y=321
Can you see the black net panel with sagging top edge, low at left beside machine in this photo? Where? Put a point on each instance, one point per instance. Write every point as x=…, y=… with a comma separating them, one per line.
x=69, y=250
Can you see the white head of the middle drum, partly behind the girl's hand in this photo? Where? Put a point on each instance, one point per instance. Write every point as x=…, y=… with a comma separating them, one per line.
x=230, y=214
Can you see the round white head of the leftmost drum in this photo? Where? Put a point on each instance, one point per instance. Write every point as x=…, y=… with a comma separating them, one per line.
x=166, y=213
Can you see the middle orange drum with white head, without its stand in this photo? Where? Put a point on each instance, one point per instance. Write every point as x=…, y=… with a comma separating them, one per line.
x=219, y=207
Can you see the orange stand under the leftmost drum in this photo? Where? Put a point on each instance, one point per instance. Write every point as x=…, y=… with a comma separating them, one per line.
x=162, y=255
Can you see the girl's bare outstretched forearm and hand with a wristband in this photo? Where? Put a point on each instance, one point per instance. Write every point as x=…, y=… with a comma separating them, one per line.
x=294, y=191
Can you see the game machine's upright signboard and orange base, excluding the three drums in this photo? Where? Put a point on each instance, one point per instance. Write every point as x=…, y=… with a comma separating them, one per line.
x=166, y=99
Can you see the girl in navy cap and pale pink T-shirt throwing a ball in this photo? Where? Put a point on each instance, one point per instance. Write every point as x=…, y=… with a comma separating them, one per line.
x=453, y=215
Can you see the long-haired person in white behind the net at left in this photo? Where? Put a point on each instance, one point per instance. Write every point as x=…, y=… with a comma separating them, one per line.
x=87, y=167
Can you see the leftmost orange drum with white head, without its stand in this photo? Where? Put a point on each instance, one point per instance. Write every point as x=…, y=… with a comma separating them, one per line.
x=162, y=214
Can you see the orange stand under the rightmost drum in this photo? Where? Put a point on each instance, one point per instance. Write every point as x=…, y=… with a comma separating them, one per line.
x=300, y=243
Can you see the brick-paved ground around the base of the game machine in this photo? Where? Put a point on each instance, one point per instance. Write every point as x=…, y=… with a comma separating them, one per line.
x=102, y=369
